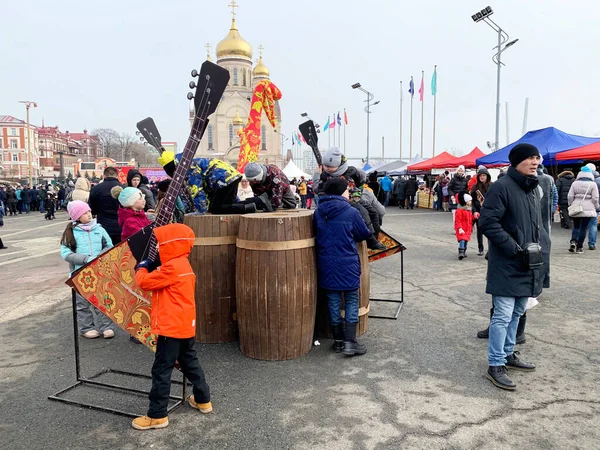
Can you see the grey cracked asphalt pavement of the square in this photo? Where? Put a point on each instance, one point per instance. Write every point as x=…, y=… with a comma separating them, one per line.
x=421, y=385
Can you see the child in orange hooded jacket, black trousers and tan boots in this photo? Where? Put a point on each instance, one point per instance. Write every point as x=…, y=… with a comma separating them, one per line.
x=173, y=319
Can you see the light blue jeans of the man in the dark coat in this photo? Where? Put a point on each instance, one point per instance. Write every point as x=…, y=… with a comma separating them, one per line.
x=503, y=327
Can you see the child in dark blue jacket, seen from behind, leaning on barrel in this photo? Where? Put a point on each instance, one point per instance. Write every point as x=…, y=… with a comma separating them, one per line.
x=338, y=228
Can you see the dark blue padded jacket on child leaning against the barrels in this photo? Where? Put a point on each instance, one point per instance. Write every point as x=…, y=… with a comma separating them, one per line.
x=338, y=227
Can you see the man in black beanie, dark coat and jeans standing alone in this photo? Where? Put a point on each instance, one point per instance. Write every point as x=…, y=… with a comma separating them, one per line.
x=510, y=219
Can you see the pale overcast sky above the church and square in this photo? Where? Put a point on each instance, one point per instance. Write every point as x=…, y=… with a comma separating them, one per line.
x=111, y=63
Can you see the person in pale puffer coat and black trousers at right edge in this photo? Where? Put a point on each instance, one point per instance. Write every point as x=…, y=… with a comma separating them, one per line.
x=583, y=207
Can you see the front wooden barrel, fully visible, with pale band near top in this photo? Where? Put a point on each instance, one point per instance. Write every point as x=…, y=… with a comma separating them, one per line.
x=276, y=284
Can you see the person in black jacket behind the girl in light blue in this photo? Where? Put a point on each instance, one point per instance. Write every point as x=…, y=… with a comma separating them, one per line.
x=104, y=206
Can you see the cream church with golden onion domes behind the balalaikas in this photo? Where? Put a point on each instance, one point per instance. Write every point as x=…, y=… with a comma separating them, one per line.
x=221, y=140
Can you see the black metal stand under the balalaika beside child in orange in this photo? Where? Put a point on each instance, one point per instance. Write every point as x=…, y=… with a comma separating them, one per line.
x=81, y=381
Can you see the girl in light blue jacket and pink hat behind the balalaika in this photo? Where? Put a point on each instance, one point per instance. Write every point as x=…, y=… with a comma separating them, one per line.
x=82, y=241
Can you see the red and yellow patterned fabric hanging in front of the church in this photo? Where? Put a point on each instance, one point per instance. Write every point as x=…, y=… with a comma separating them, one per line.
x=264, y=97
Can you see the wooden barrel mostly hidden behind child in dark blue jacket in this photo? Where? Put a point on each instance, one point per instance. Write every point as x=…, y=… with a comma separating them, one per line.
x=322, y=321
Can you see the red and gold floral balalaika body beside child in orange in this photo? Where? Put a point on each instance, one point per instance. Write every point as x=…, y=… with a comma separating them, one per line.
x=108, y=283
